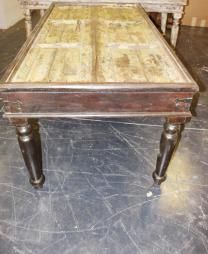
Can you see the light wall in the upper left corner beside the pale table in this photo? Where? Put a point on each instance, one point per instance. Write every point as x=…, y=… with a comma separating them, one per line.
x=10, y=13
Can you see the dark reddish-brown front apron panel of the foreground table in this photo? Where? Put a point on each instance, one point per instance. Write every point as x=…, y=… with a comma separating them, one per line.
x=97, y=102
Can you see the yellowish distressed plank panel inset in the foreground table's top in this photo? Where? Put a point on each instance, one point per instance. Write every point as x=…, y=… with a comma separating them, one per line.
x=105, y=43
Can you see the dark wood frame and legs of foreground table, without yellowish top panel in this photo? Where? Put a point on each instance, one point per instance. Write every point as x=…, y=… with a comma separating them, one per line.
x=23, y=101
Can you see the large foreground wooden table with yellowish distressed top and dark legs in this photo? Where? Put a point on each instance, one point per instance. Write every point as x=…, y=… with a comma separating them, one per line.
x=96, y=61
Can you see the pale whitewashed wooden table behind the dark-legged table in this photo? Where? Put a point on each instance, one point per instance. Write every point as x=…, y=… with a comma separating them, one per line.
x=164, y=7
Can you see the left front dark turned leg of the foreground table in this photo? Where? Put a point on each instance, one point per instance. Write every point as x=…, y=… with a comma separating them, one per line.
x=30, y=152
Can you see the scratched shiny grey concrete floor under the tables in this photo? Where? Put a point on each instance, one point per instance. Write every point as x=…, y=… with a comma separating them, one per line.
x=99, y=196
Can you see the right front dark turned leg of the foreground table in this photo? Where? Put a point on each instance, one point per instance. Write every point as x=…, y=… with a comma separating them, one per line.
x=168, y=142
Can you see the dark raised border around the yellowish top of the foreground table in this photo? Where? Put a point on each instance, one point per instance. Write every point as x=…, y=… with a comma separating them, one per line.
x=7, y=84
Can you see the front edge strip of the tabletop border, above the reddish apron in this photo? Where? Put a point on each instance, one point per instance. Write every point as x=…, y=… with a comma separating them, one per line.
x=99, y=87
